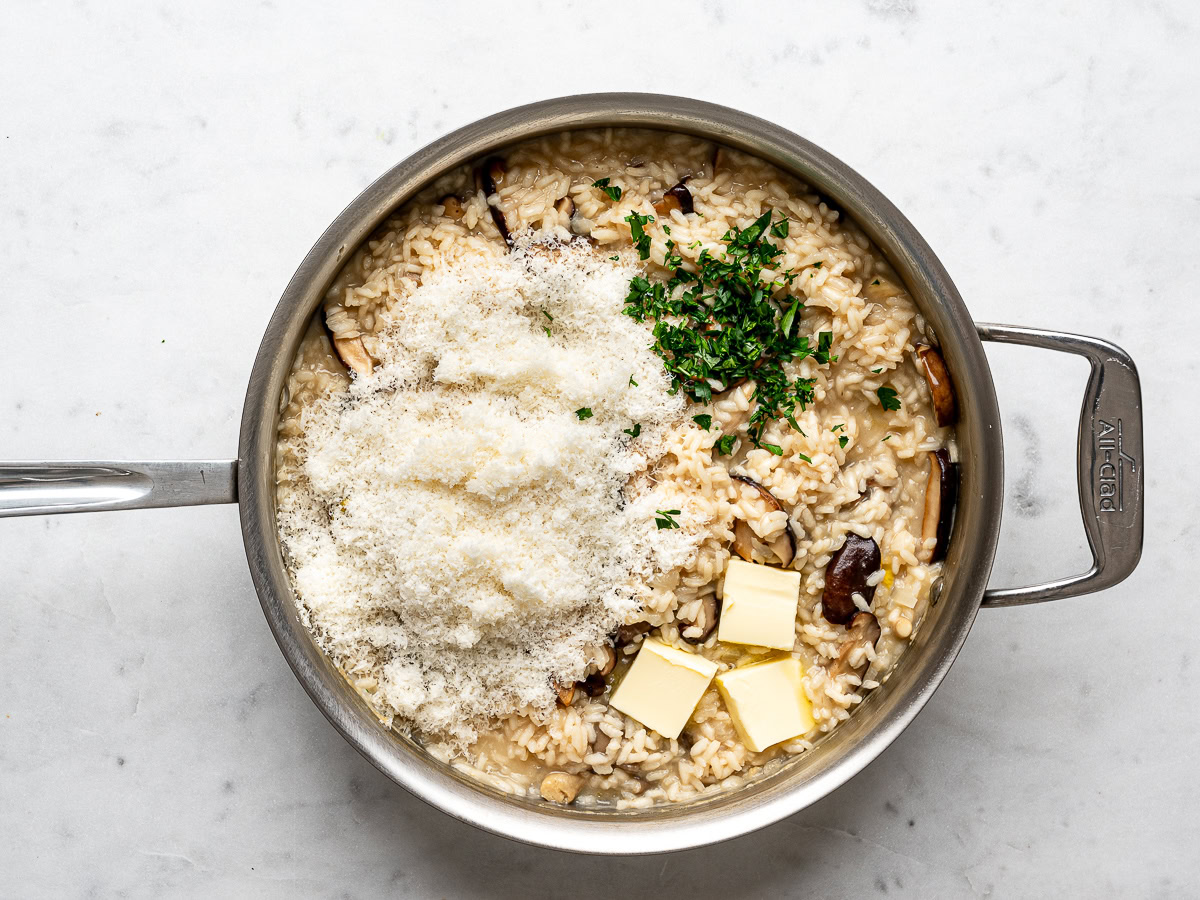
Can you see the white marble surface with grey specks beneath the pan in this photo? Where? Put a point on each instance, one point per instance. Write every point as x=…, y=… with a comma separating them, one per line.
x=164, y=167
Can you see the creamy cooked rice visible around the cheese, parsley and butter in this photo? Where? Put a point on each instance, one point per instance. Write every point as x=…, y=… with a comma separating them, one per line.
x=874, y=487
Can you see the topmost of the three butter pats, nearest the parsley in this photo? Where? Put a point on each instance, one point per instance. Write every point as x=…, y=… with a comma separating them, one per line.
x=760, y=605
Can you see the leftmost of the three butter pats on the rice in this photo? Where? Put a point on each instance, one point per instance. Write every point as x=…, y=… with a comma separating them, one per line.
x=663, y=687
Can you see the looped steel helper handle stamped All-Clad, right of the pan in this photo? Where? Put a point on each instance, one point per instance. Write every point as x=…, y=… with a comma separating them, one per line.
x=1109, y=464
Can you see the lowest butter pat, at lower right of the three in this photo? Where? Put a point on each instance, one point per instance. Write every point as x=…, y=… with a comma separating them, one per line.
x=767, y=703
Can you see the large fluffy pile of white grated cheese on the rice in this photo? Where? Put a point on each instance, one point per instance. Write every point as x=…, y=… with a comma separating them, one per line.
x=463, y=532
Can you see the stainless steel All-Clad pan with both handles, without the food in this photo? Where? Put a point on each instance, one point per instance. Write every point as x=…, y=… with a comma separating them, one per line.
x=1111, y=487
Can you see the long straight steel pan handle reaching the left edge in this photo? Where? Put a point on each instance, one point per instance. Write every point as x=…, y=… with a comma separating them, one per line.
x=37, y=489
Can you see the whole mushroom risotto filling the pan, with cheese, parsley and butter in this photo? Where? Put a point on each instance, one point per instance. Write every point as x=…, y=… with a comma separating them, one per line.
x=616, y=470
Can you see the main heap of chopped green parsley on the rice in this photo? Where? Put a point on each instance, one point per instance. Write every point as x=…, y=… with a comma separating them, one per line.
x=721, y=326
